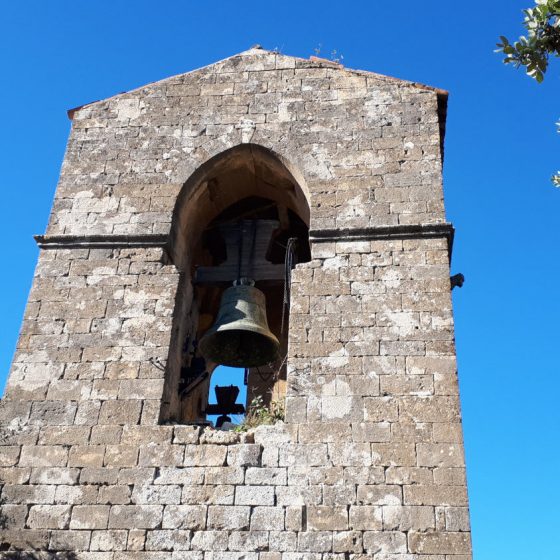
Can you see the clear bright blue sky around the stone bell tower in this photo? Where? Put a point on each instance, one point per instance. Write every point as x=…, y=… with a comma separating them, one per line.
x=501, y=148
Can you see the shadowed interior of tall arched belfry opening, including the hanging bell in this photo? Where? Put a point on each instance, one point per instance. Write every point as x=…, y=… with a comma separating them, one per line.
x=233, y=305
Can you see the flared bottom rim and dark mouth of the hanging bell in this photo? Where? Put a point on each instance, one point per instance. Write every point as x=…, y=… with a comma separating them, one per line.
x=239, y=348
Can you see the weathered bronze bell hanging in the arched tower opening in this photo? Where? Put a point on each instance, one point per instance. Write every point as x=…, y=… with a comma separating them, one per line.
x=240, y=337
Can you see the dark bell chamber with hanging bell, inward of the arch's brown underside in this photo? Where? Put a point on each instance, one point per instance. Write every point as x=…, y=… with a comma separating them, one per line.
x=235, y=310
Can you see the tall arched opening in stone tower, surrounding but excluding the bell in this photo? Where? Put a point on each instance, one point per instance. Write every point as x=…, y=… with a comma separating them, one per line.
x=242, y=215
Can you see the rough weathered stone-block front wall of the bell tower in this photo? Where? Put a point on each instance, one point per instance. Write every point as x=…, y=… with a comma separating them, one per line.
x=370, y=462
